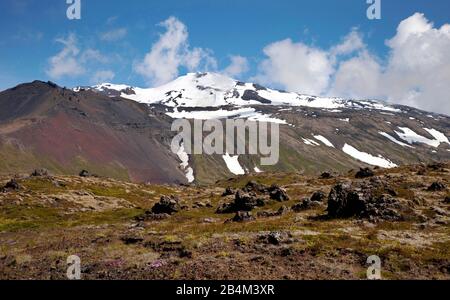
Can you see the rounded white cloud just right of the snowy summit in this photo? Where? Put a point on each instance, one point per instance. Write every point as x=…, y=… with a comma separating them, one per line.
x=296, y=67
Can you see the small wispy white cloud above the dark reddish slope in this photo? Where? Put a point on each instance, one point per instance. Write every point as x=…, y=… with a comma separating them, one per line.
x=65, y=62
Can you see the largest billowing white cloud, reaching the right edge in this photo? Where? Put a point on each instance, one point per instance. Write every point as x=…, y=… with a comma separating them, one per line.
x=416, y=72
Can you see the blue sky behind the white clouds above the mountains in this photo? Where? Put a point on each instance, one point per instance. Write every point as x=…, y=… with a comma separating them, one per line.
x=119, y=34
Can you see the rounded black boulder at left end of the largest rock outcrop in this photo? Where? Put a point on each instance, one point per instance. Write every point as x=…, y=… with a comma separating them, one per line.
x=344, y=202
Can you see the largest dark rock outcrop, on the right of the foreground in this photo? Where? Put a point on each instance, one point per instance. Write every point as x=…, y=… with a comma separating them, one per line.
x=364, y=201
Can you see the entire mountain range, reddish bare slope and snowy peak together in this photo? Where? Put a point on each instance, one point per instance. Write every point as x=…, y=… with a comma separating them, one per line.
x=125, y=132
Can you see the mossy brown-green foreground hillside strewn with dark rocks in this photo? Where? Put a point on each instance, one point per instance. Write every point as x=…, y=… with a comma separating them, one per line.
x=295, y=227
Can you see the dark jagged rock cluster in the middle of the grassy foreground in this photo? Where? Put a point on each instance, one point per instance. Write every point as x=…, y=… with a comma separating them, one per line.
x=251, y=196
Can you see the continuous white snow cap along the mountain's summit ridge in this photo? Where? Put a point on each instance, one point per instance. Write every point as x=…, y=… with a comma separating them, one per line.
x=216, y=90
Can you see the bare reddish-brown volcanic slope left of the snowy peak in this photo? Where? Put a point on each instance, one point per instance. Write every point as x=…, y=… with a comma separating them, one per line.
x=42, y=125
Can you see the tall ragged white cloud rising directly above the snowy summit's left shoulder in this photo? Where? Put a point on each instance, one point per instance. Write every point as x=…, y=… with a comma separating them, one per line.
x=171, y=52
